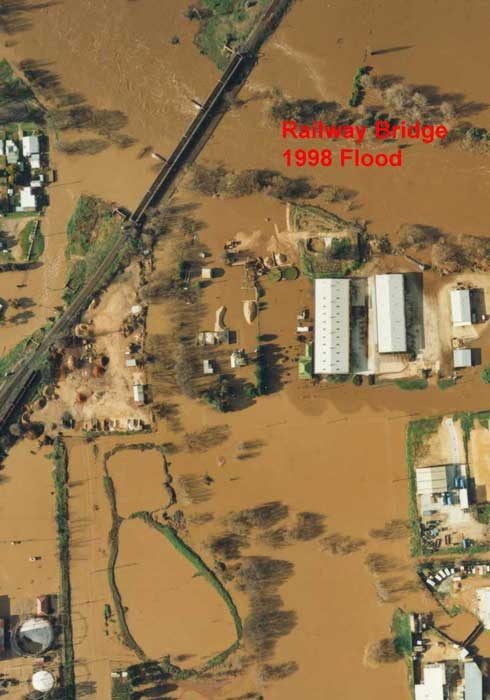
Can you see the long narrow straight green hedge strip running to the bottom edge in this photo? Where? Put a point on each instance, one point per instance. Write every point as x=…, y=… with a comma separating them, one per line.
x=60, y=477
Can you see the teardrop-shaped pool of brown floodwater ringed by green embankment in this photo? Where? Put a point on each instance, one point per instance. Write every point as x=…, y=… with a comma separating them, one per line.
x=171, y=609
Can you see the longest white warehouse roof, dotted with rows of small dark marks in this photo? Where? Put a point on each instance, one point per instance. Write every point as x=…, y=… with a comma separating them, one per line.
x=332, y=326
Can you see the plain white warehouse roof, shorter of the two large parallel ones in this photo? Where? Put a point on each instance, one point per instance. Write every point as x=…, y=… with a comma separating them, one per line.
x=390, y=313
